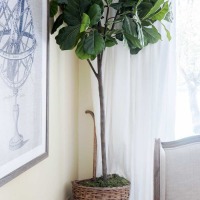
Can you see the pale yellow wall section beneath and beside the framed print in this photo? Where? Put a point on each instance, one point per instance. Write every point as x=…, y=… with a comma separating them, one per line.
x=50, y=179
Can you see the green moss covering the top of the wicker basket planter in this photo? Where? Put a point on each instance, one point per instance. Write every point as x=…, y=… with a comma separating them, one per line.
x=113, y=180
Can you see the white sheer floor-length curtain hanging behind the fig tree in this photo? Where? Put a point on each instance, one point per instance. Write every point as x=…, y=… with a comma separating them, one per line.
x=140, y=106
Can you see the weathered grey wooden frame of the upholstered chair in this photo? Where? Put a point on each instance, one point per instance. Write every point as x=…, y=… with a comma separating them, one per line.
x=166, y=145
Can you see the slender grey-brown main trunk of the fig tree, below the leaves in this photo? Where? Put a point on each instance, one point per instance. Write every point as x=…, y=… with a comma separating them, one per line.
x=102, y=117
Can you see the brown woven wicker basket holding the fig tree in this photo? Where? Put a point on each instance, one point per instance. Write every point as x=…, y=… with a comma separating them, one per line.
x=93, y=193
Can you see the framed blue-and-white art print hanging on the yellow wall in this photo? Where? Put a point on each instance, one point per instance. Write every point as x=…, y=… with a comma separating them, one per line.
x=23, y=85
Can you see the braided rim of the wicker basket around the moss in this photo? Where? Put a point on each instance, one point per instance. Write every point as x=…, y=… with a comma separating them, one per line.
x=76, y=183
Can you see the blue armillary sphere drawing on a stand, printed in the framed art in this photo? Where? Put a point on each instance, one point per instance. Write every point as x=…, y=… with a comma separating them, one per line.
x=17, y=47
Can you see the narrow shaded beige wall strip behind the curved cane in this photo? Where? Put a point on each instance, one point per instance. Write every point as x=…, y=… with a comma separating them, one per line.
x=86, y=125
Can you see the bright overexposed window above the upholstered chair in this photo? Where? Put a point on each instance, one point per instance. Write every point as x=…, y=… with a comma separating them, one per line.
x=188, y=63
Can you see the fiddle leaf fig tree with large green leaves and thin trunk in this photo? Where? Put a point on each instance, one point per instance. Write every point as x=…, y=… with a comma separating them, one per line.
x=91, y=26
